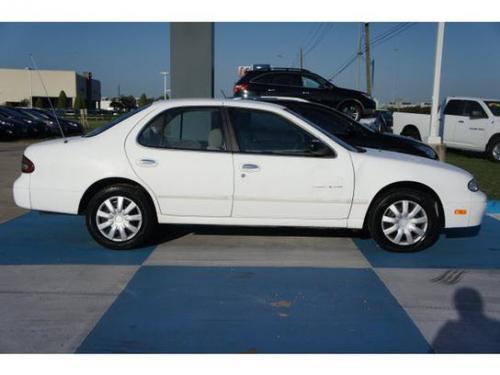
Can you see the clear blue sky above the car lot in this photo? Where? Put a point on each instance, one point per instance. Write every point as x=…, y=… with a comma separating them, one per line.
x=132, y=54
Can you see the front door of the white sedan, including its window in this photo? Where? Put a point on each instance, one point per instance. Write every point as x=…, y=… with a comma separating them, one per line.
x=277, y=175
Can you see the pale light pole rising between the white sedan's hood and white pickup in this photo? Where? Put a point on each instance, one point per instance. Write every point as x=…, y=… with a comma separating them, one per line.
x=434, y=138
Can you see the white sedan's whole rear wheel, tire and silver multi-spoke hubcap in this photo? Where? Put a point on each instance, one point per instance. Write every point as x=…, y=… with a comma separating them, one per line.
x=120, y=217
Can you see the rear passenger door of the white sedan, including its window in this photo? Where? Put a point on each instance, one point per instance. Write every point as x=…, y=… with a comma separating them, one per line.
x=181, y=155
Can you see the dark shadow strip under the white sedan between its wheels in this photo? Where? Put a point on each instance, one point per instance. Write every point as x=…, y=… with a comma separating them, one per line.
x=169, y=232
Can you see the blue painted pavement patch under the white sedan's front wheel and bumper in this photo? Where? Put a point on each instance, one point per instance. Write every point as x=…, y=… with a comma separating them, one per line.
x=480, y=252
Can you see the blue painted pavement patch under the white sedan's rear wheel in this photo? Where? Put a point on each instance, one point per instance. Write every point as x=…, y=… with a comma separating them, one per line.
x=37, y=238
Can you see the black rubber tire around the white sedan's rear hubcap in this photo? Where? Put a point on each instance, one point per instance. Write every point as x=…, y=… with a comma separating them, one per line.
x=145, y=208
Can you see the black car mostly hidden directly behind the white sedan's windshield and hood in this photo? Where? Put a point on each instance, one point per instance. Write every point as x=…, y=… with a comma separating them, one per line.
x=350, y=131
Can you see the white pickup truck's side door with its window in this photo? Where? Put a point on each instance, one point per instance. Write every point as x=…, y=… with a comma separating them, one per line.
x=471, y=129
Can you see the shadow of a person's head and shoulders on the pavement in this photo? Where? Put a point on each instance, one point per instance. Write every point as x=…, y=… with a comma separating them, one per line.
x=473, y=332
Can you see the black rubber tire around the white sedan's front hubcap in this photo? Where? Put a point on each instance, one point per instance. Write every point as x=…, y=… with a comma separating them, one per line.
x=380, y=207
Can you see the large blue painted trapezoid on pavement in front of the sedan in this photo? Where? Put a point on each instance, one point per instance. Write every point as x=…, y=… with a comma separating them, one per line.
x=251, y=309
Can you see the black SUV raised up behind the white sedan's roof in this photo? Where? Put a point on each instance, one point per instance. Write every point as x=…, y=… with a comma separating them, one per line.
x=301, y=83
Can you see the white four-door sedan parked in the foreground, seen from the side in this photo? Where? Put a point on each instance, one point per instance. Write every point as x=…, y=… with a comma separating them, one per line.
x=249, y=163
